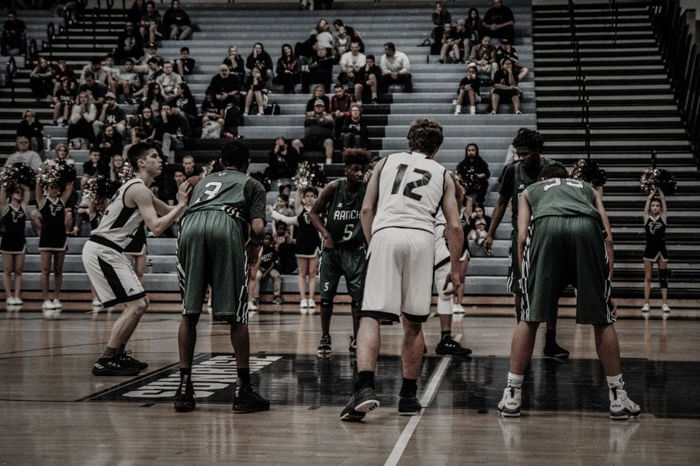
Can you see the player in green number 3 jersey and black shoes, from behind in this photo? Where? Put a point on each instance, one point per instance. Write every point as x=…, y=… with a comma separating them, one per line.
x=226, y=208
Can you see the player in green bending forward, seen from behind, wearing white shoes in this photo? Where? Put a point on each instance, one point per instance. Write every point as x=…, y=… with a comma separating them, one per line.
x=562, y=227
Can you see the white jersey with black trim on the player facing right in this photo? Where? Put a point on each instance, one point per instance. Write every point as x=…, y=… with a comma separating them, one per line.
x=119, y=222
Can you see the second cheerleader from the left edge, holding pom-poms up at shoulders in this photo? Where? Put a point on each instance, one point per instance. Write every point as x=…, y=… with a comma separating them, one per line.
x=52, y=241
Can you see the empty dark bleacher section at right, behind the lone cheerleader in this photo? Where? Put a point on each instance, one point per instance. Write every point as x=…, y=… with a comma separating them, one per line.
x=632, y=112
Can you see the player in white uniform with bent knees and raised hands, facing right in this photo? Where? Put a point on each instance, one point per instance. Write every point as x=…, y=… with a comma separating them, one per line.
x=110, y=271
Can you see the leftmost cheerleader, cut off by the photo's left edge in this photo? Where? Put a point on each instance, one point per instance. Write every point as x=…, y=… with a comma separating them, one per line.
x=13, y=209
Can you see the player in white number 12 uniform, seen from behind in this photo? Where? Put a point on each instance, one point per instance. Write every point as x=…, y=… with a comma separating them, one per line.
x=398, y=220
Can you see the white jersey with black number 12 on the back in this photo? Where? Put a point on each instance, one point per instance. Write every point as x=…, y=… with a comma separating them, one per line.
x=410, y=192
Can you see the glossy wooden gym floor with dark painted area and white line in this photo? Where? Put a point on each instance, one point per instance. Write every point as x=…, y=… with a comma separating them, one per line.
x=54, y=411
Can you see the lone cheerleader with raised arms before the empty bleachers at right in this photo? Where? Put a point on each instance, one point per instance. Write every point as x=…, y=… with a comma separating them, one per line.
x=655, y=221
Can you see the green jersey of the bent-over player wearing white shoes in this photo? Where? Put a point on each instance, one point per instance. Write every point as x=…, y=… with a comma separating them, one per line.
x=562, y=197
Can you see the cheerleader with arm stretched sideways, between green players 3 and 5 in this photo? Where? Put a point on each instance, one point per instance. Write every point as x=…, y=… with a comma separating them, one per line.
x=308, y=245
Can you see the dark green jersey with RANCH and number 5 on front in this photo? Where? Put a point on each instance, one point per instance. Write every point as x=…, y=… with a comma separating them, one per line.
x=343, y=215
